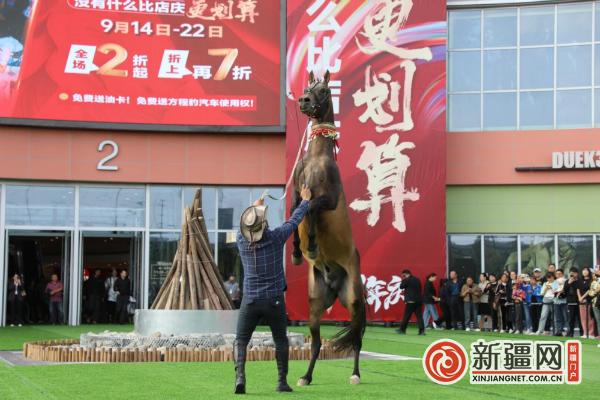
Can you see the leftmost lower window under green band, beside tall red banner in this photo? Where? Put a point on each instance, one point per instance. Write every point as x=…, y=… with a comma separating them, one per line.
x=464, y=254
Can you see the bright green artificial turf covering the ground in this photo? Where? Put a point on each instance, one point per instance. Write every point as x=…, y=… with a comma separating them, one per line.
x=380, y=379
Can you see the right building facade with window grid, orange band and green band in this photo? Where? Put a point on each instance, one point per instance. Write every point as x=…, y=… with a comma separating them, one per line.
x=522, y=141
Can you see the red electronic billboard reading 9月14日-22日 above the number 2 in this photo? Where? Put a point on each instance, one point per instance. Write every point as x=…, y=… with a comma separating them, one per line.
x=177, y=62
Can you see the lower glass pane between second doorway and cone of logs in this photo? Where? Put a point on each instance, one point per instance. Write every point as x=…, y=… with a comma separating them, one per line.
x=163, y=247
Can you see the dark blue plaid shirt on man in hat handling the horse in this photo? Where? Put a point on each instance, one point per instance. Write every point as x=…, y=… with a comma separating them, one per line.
x=264, y=277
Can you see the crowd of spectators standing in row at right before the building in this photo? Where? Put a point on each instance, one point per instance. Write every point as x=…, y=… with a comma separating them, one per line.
x=556, y=303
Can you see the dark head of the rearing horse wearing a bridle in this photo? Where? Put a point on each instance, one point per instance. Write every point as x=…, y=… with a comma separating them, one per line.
x=316, y=100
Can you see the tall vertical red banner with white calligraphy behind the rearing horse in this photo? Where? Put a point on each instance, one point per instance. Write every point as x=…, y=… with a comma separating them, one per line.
x=388, y=84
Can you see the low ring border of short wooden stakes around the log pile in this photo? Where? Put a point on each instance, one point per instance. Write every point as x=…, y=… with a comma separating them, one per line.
x=68, y=351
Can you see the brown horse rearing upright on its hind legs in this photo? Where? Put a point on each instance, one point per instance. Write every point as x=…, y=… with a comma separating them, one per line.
x=325, y=236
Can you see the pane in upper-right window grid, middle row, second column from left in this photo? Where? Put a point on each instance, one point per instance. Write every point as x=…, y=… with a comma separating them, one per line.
x=499, y=69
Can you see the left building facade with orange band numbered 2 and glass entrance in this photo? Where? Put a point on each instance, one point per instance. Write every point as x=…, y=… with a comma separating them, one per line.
x=60, y=213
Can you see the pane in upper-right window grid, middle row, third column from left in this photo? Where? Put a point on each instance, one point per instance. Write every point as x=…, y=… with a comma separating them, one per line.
x=537, y=68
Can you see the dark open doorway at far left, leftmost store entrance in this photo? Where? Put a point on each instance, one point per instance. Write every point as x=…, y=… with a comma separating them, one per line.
x=35, y=256
